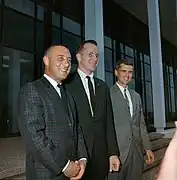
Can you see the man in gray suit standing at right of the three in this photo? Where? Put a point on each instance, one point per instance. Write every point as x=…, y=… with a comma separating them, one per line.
x=130, y=126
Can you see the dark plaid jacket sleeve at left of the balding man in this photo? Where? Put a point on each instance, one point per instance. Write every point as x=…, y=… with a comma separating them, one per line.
x=32, y=126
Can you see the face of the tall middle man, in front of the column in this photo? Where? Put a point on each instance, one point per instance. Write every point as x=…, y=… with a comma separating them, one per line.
x=88, y=58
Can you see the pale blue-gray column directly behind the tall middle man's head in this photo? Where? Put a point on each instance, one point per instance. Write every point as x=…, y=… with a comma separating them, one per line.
x=94, y=30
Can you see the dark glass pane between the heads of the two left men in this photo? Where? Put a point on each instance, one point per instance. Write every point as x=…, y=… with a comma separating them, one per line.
x=72, y=42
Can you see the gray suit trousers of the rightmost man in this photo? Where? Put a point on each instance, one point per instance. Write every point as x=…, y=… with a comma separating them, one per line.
x=131, y=169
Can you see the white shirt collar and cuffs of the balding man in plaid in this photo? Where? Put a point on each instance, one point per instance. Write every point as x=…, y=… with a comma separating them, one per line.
x=55, y=85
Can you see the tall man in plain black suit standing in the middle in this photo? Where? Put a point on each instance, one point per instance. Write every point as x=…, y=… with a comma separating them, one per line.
x=94, y=113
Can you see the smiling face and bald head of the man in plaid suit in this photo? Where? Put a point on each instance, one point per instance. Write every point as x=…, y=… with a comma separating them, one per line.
x=58, y=63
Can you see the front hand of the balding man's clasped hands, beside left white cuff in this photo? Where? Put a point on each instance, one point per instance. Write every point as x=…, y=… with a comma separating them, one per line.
x=72, y=170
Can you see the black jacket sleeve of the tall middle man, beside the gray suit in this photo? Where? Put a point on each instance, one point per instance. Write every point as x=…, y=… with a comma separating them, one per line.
x=111, y=134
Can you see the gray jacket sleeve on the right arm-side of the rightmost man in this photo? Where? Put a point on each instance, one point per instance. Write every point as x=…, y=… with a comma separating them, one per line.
x=144, y=133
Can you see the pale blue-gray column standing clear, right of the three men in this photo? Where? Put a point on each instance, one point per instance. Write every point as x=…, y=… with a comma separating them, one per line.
x=156, y=65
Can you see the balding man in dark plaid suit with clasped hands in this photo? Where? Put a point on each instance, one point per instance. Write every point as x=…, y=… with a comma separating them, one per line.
x=55, y=147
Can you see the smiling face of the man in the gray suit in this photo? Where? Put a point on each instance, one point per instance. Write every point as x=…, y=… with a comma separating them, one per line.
x=124, y=74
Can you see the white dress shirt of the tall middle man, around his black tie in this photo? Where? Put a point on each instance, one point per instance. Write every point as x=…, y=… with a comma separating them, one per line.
x=85, y=84
